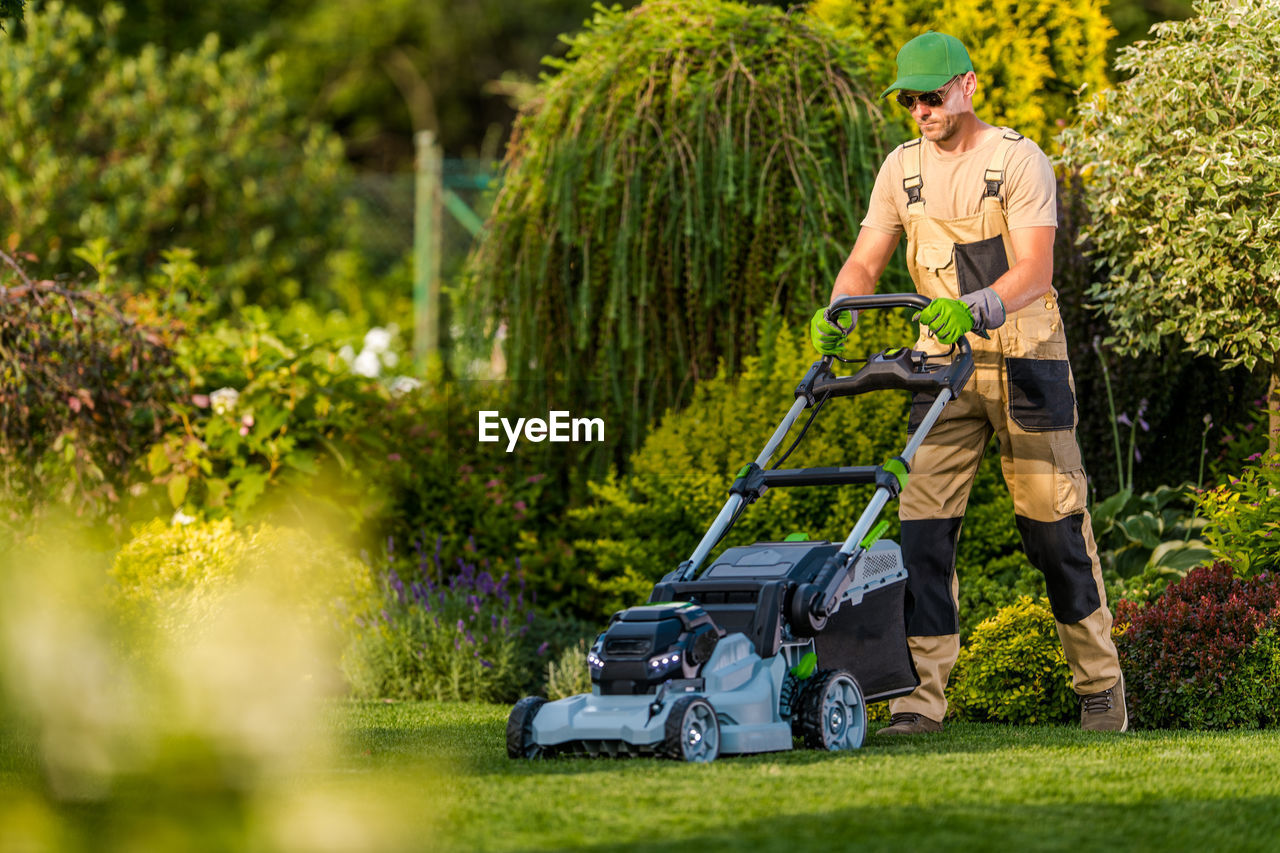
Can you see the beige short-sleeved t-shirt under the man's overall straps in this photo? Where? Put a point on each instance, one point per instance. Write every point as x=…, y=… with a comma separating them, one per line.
x=954, y=185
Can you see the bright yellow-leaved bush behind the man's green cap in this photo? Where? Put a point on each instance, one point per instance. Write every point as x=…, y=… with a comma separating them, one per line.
x=1031, y=58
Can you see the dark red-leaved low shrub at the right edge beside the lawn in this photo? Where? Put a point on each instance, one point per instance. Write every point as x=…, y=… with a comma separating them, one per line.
x=1205, y=655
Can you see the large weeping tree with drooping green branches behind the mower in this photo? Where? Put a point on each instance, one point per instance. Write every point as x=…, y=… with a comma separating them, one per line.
x=689, y=168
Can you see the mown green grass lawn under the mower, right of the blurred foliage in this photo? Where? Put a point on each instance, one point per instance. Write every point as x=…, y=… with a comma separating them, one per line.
x=975, y=787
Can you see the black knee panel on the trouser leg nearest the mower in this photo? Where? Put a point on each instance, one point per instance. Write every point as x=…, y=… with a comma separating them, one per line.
x=930, y=556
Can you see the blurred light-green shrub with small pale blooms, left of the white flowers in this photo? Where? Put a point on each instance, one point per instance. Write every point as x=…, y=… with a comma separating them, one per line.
x=276, y=423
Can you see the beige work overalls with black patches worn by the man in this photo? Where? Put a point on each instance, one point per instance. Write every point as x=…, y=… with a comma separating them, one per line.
x=1023, y=393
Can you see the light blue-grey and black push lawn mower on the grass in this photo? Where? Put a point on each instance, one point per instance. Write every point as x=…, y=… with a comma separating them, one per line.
x=772, y=641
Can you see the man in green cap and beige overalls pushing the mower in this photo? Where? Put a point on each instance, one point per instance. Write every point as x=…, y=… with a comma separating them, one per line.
x=977, y=204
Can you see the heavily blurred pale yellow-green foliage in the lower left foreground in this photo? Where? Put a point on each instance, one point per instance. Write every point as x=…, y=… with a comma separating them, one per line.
x=193, y=727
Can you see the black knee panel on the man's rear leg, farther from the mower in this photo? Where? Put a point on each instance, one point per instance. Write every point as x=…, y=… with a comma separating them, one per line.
x=1059, y=551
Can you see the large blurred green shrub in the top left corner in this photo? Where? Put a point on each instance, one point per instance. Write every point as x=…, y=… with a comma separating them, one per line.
x=153, y=152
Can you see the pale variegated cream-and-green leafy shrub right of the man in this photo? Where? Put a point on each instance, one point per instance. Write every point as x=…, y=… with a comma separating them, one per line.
x=1182, y=208
